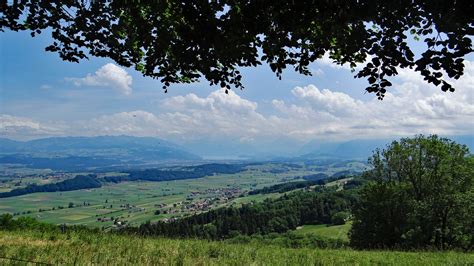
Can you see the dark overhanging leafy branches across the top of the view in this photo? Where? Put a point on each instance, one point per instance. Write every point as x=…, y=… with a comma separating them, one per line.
x=182, y=41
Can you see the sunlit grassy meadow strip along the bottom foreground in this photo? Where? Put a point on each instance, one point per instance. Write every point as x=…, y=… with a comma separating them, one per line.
x=16, y=247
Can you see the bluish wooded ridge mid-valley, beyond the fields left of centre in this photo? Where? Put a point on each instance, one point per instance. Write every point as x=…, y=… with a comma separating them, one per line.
x=189, y=172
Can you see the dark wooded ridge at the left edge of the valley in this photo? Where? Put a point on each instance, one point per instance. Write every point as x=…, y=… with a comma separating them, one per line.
x=78, y=182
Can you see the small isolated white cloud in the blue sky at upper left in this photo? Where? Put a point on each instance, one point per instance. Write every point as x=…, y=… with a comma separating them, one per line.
x=109, y=75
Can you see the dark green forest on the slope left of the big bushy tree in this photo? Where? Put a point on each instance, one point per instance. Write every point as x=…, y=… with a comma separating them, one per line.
x=270, y=216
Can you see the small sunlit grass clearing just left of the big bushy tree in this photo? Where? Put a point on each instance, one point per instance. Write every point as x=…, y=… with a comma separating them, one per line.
x=334, y=232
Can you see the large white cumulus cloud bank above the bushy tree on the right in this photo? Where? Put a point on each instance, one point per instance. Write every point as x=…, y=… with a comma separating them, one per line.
x=411, y=107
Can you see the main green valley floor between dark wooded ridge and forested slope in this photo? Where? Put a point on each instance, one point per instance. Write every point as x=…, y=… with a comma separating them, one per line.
x=108, y=201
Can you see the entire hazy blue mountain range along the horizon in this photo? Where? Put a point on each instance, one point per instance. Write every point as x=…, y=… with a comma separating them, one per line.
x=119, y=150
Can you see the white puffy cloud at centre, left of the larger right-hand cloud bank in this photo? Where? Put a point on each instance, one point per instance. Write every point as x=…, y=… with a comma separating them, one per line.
x=218, y=114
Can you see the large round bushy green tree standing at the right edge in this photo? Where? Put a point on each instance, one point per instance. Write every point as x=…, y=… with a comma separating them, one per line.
x=421, y=194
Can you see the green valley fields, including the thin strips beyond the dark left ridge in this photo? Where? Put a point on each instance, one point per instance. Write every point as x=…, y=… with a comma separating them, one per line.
x=136, y=202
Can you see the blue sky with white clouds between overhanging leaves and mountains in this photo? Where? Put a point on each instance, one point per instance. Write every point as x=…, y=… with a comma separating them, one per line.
x=42, y=96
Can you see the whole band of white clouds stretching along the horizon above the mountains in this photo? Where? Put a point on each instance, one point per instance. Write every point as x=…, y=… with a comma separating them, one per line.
x=410, y=107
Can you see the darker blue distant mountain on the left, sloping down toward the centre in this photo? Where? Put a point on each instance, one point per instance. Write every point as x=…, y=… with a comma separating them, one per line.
x=92, y=151
